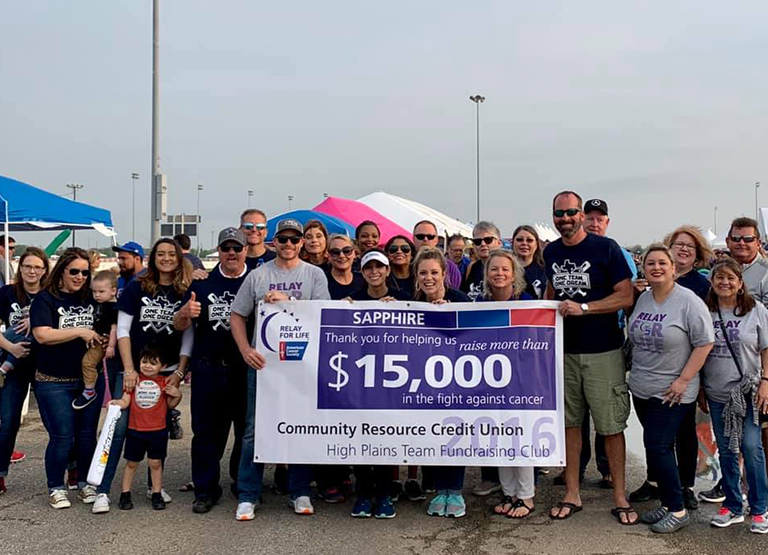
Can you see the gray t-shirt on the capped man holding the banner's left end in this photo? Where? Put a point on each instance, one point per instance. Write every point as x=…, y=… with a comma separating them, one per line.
x=304, y=282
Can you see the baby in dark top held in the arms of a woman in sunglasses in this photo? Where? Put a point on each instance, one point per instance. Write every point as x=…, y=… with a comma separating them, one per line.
x=104, y=289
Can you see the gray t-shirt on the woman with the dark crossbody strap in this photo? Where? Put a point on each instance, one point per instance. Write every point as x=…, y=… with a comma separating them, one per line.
x=749, y=337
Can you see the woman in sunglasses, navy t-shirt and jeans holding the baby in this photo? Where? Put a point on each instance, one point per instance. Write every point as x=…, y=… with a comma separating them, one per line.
x=61, y=318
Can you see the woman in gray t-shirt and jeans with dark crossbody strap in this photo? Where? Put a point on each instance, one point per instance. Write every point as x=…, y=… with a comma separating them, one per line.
x=735, y=393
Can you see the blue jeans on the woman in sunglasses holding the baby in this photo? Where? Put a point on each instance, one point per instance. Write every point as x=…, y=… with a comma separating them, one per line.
x=67, y=427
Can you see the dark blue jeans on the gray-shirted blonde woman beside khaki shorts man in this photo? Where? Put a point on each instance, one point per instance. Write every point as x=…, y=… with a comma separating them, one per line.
x=661, y=424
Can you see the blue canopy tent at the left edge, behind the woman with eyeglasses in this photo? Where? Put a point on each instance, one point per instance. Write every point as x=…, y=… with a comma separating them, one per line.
x=27, y=208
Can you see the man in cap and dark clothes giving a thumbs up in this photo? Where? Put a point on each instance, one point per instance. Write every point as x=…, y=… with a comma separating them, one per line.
x=219, y=386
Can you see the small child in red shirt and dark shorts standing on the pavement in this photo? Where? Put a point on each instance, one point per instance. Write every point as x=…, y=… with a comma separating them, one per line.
x=147, y=433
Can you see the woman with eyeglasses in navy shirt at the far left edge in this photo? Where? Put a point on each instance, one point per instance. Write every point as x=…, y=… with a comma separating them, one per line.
x=18, y=369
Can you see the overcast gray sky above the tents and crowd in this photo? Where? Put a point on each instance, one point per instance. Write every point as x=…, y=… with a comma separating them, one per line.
x=657, y=107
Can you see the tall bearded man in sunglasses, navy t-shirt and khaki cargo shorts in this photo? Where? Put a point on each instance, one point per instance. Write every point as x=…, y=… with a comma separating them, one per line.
x=588, y=274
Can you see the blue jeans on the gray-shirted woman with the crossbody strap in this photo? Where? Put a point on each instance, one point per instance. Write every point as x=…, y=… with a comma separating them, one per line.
x=754, y=463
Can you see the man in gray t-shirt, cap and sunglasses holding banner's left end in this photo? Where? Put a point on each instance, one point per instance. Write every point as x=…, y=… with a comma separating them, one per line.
x=287, y=277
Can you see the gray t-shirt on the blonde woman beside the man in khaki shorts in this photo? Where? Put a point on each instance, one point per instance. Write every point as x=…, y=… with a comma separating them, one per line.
x=663, y=336
